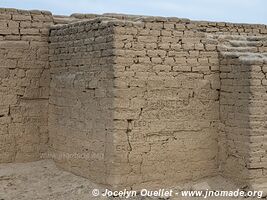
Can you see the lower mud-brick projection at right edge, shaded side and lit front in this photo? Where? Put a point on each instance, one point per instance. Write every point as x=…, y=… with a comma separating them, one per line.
x=243, y=111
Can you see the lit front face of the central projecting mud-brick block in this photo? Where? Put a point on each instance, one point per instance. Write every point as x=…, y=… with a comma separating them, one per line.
x=166, y=104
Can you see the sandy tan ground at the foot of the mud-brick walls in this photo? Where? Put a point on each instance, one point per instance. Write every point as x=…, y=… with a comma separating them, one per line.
x=42, y=180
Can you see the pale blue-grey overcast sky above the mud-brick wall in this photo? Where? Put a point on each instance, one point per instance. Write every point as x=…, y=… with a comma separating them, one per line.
x=246, y=11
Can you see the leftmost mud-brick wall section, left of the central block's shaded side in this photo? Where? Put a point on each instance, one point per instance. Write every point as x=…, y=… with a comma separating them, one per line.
x=24, y=84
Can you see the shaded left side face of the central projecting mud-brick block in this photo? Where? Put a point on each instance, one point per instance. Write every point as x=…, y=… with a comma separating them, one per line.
x=81, y=99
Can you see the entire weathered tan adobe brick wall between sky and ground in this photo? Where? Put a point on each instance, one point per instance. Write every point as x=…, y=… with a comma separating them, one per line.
x=139, y=101
